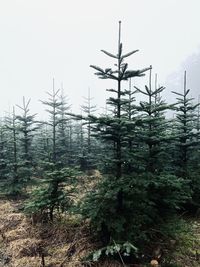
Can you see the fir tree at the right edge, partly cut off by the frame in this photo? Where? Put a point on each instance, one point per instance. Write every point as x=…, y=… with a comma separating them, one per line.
x=186, y=143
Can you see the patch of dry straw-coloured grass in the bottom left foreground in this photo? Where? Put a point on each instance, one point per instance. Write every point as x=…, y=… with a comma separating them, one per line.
x=62, y=243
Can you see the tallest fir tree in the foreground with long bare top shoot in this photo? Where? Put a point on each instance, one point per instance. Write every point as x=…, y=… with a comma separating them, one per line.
x=112, y=197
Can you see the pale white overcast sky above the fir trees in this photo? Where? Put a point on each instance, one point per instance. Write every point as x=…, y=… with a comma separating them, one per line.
x=42, y=39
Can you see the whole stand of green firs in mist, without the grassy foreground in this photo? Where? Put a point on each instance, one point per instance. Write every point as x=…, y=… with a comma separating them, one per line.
x=149, y=162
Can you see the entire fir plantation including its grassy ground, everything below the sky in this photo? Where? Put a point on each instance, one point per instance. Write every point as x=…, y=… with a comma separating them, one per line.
x=114, y=188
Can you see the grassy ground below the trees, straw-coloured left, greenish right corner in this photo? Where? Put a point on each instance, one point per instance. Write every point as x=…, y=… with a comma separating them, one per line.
x=66, y=241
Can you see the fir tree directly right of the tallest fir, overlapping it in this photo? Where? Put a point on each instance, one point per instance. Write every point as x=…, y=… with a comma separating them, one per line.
x=164, y=190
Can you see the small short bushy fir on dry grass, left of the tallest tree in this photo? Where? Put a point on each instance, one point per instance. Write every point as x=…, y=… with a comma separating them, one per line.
x=54, y=192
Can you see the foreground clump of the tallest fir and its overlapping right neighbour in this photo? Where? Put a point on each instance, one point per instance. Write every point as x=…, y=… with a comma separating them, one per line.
x=129, y=201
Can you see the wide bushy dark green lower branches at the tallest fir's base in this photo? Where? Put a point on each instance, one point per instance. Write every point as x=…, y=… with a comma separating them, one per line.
x=147, y=200
